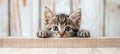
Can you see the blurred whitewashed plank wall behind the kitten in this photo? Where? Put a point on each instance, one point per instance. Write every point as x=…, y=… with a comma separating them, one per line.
x=23, y=18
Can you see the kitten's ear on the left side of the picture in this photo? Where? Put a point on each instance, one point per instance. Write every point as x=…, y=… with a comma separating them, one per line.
x=48, y=15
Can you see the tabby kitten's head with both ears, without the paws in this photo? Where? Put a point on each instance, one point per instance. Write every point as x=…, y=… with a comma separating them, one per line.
x=62, y=25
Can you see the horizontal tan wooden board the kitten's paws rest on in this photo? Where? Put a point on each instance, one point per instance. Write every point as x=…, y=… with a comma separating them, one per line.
x=59, y=42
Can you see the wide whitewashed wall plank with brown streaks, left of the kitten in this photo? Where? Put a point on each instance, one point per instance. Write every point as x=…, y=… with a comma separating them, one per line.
x=24, y=17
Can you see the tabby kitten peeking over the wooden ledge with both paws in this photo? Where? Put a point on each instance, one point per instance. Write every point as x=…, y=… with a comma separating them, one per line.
x=62, y=25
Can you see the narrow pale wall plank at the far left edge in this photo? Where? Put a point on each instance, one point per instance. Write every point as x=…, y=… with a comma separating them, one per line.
x=3, y=18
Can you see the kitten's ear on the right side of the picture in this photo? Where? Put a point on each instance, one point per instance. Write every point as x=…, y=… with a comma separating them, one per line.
x=76, y=16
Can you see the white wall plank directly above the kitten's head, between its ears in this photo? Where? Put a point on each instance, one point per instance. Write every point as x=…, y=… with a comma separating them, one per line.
x=63, y=6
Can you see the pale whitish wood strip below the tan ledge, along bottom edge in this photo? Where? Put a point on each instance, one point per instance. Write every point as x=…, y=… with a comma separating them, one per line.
x=60, y=50
